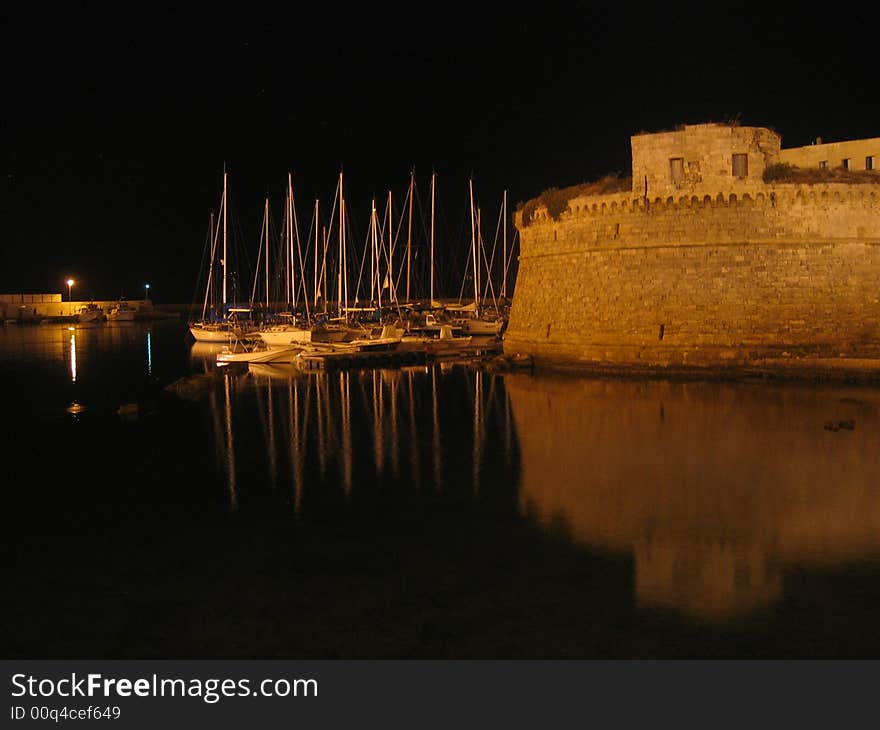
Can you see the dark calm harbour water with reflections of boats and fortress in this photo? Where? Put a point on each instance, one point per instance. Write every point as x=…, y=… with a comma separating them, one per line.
x=425, y=512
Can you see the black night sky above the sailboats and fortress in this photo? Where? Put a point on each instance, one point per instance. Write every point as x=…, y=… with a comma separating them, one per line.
x=116, y=125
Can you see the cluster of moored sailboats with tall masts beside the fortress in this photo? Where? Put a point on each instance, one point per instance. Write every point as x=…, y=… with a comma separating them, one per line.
x=382, y=321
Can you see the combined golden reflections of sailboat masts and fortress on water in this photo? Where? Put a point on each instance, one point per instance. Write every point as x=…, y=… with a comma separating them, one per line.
x=714, y=490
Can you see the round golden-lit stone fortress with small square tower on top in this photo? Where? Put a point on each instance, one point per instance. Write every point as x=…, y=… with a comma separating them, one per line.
x=702, y=263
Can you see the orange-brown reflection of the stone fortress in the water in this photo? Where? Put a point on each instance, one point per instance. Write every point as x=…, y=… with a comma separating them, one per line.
x=716, y=490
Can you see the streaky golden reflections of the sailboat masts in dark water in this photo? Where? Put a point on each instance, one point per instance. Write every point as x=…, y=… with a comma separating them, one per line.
x=349, y=429
